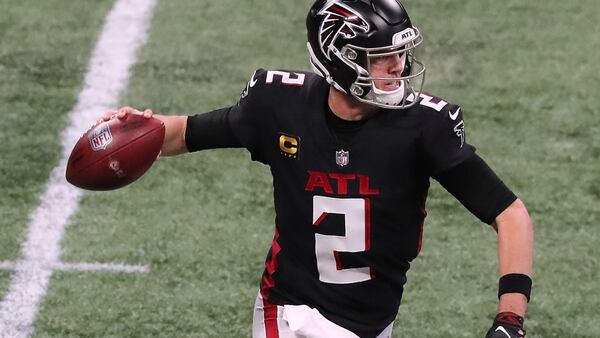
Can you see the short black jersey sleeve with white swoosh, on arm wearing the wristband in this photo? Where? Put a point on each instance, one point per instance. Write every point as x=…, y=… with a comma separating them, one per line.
x=444, y=138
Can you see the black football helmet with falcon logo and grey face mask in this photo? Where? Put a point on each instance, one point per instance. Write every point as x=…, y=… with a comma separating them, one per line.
x=343, y=36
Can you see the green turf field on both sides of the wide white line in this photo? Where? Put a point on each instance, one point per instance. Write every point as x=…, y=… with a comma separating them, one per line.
x=524, y=73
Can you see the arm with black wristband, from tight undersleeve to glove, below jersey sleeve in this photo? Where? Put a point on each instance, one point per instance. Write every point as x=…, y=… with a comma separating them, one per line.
x=478, y=188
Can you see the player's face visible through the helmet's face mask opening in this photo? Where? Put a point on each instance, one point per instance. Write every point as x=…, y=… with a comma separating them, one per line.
x=388, y=66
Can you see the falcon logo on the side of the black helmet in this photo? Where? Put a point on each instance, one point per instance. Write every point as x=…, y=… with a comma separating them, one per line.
x=342, y=21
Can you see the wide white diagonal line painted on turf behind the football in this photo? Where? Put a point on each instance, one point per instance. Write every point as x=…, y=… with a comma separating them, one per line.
x=124, y=31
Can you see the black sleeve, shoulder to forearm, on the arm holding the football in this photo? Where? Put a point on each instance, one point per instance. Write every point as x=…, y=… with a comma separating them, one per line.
x=241, y=125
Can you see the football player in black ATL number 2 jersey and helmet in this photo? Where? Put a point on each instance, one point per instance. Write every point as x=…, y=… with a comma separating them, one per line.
x=351, y=148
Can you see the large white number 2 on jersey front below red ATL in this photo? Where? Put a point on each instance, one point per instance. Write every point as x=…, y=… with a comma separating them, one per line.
x=356, y=213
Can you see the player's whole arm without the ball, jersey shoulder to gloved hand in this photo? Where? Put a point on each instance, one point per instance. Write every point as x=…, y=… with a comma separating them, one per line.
x=467, y=177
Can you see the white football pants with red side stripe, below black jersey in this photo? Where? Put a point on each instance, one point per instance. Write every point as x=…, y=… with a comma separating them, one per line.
x=298, y=321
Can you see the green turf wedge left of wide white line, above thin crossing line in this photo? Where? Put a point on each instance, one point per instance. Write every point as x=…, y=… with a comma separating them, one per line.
x=44, y=51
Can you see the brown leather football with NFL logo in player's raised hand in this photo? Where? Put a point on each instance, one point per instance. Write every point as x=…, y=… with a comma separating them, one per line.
x=114, y=153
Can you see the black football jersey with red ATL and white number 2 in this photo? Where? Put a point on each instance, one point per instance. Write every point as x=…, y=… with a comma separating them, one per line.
x=349, y=215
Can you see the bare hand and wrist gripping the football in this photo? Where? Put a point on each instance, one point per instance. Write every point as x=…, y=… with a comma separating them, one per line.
x=175, y=126
